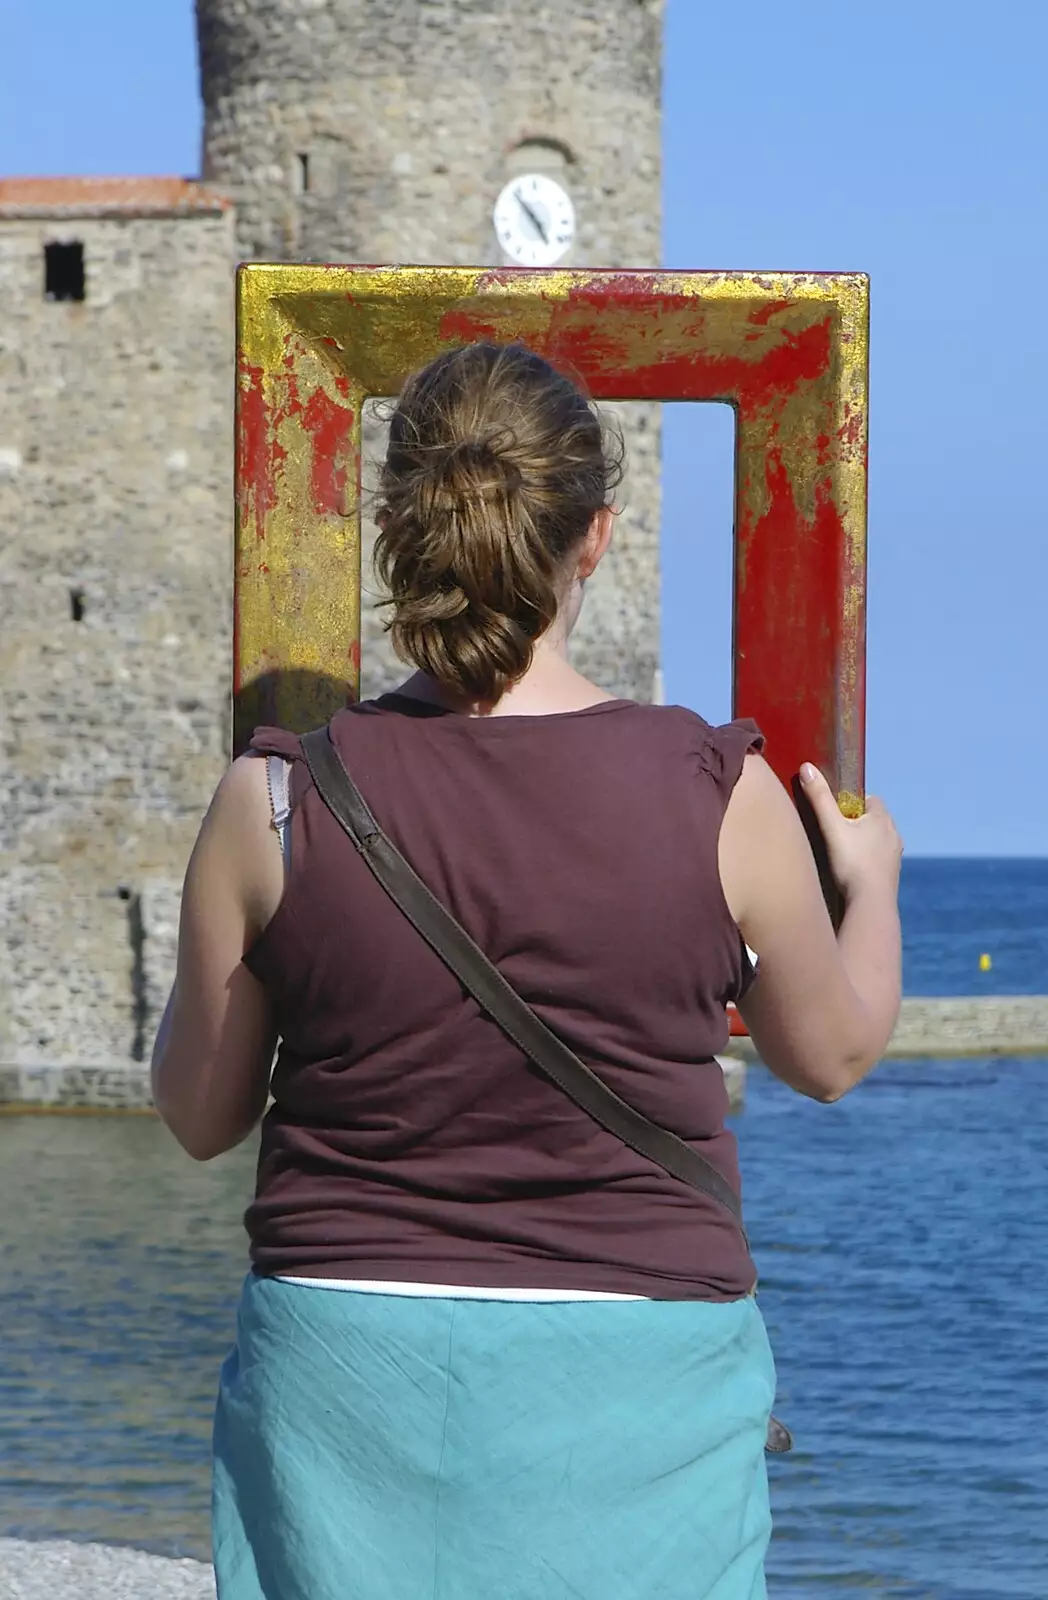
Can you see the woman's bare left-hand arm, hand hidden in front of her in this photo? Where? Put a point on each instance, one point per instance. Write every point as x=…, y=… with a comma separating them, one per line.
x=215, y=1047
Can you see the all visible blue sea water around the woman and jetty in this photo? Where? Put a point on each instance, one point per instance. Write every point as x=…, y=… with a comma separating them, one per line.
x=903, y=1247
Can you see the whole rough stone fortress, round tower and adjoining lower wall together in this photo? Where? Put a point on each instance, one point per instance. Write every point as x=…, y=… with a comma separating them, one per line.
x=335, y=130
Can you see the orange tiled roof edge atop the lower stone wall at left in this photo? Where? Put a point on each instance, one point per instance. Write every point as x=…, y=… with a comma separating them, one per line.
x=30, y=198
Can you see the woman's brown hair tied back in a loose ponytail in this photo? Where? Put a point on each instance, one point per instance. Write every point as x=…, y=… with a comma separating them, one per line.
x=495, y=470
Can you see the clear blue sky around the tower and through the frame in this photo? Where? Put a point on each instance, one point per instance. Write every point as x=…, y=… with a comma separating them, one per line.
x=905, y=140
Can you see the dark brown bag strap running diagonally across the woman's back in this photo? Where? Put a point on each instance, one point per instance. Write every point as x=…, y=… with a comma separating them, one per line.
x=494, y=993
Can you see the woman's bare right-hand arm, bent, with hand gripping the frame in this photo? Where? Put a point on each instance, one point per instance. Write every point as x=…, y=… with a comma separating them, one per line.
x=823, y=1007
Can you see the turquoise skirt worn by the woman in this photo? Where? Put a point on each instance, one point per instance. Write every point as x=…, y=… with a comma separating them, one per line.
x=382, y=1447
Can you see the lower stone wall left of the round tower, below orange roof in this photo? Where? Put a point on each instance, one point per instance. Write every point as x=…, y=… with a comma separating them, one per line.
x=116, y=462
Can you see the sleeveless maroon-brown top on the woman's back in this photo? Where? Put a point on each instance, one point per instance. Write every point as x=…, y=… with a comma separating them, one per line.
x=409, y=1138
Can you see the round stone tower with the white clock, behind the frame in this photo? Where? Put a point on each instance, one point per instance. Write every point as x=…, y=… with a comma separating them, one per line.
x=383, y=130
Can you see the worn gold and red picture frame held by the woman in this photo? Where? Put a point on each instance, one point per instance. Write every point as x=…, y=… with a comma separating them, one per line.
x=788, y=351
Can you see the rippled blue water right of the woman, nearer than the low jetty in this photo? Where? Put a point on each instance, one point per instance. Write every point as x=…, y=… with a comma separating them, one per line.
x=902, y=1244
